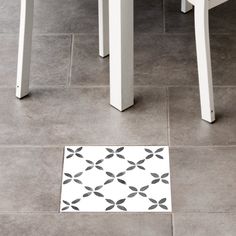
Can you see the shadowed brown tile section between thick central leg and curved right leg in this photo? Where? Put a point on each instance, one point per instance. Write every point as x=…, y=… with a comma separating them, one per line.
x=165, y=60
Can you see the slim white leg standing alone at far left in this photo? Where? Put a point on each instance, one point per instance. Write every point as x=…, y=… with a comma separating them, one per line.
x=24, y=51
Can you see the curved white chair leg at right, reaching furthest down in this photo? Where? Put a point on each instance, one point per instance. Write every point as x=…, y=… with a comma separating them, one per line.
x=204, y=60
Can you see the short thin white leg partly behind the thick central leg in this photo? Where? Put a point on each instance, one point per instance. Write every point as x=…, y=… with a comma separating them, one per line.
x=103, y=23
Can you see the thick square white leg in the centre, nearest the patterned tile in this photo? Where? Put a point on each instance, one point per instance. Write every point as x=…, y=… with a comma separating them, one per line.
x=121, y=53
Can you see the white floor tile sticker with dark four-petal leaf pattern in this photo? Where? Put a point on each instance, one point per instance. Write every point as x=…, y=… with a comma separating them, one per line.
x=116, y=179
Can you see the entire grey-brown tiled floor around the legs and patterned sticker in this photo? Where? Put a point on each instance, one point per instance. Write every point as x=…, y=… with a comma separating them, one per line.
x=68, y=105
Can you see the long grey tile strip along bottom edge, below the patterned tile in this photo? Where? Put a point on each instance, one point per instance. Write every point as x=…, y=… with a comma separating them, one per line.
x=85, y=224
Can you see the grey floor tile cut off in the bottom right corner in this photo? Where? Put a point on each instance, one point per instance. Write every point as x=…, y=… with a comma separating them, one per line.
x=210, y=224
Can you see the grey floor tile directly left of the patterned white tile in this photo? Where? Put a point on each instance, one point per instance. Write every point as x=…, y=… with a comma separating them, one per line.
x=30, y=179
